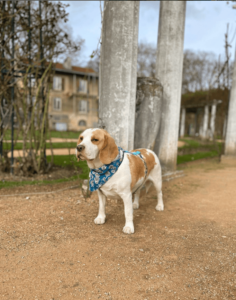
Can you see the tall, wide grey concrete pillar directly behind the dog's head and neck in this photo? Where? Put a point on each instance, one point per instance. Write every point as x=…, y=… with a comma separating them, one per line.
x=118, y=74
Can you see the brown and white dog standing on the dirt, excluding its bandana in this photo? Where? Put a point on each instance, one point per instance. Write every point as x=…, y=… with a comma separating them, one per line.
x=97, y=147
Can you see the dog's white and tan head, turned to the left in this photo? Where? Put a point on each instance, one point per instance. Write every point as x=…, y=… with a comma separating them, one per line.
x=93, y=143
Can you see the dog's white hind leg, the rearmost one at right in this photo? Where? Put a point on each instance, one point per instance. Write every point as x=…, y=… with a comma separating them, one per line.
x=156, y=178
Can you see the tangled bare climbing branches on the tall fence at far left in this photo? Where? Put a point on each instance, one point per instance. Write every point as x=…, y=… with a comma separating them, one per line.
x=36, y=29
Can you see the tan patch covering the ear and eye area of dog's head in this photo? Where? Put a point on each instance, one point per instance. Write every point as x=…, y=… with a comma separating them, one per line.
x=106, y=144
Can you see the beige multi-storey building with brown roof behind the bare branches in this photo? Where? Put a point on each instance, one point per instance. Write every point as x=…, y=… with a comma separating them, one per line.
x=73, y=100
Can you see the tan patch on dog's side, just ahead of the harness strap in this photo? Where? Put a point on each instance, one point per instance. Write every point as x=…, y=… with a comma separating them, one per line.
x=137, y=169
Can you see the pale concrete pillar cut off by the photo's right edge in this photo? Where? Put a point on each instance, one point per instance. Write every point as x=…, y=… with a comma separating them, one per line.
x=230, y=140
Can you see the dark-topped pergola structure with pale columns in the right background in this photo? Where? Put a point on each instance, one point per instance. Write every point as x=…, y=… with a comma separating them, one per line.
x=204, y=113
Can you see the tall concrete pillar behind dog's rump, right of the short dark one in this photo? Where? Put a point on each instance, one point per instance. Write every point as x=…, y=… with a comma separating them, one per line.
x=169, y=67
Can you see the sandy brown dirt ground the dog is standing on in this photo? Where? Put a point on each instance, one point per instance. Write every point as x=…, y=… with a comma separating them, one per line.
x=51, y=249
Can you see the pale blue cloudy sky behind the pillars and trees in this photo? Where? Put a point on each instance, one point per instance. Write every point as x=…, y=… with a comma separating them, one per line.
x=205, y=25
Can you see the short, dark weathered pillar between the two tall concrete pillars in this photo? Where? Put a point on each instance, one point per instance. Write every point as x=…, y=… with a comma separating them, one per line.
x=148, y=105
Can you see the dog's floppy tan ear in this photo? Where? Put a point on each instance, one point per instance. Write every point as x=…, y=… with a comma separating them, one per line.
x=109, y=150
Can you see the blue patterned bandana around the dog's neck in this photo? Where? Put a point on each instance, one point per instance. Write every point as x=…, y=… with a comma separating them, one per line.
x=99, y=176
